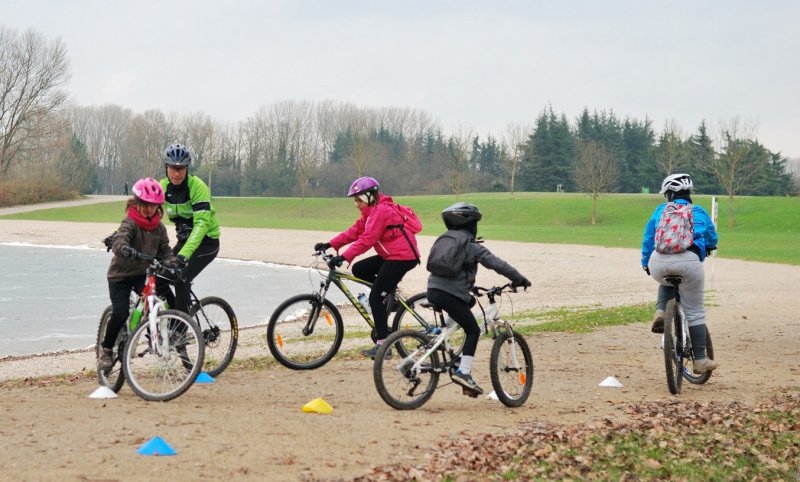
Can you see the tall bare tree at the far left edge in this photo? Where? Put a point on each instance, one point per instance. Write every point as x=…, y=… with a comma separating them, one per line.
x=32, y=72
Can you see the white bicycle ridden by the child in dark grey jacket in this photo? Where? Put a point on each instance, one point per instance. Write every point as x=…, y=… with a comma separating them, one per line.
x=408, y=383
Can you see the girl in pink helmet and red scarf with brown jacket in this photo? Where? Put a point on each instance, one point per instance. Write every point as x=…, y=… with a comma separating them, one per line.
x=141, y=231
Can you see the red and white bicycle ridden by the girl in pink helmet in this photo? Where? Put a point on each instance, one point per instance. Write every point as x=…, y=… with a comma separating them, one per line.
x=158, y=350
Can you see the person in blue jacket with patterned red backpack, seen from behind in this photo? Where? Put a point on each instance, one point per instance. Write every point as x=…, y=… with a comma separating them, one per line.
x=677, y=238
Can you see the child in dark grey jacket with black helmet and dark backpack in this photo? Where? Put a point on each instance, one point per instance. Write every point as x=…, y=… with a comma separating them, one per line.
x=453, y=264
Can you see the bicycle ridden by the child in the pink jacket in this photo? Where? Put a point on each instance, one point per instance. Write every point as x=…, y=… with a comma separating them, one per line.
x=306, y=331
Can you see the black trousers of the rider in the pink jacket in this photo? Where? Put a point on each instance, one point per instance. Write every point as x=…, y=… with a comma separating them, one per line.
x=385, y=276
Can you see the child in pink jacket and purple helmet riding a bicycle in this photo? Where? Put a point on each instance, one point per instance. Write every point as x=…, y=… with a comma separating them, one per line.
x=389, y=228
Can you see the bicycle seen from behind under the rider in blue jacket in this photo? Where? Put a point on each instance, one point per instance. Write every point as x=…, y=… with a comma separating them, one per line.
x=678, y=354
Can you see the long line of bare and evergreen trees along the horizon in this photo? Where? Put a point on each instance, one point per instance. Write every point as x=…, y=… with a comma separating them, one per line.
x=305, y=148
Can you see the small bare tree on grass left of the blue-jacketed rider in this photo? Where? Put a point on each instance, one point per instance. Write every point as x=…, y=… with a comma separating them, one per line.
x=596, y=172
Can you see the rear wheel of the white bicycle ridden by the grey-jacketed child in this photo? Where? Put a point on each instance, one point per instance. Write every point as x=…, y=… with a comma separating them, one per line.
x=399, y=384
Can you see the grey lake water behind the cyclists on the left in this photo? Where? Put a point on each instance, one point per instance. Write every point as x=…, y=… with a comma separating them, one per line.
x=51, y=298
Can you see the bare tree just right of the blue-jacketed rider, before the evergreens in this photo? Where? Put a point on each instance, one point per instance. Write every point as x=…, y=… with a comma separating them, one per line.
x=733, y=167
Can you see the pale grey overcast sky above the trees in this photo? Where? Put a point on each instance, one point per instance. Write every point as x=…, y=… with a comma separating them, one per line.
x=477, y=64
